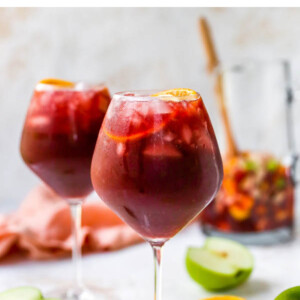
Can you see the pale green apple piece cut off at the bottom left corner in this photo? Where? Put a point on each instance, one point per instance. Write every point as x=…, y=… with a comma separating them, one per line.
x=21, y=293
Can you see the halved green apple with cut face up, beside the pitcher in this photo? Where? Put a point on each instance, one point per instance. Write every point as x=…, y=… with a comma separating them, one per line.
x=220, y=264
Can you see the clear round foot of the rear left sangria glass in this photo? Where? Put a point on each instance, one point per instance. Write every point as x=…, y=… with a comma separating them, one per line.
x=81, y=294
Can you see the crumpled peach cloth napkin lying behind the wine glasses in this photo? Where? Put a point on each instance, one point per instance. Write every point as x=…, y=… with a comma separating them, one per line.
x=41, y=228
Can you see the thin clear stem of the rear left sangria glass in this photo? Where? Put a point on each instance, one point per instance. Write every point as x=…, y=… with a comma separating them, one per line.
x=76, y=210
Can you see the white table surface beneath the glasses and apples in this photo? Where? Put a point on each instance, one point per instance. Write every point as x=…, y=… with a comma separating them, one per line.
x=128, y=274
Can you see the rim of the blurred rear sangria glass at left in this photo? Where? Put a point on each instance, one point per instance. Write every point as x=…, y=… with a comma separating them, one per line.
x=79, y=86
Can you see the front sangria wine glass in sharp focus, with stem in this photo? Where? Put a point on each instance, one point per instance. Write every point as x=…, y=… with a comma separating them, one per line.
x=157, y=163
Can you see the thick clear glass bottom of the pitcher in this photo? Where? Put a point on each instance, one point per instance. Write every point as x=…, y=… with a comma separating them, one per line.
x=265, y=238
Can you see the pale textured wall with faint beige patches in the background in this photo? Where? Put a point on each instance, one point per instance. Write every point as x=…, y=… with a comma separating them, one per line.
x=136, y=48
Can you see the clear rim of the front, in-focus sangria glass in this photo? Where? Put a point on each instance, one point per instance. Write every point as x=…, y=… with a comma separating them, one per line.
x=146, y=95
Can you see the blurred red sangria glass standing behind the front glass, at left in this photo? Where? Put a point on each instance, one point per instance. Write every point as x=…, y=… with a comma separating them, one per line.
x=57, y=144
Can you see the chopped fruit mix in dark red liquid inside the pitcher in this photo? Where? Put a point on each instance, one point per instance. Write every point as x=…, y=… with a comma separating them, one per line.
x=256, y=195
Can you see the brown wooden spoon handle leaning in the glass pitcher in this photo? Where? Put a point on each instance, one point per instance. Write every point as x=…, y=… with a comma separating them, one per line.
x=212, y=64
